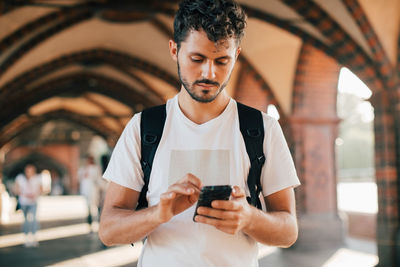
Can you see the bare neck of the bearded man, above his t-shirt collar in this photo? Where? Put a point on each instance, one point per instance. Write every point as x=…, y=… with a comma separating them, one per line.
x=199, y=112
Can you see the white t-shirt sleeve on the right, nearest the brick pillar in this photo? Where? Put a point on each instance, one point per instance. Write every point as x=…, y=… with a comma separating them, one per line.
x=278, y=171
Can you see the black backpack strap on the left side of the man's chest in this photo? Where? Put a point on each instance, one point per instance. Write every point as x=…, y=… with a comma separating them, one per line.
x=151, y=129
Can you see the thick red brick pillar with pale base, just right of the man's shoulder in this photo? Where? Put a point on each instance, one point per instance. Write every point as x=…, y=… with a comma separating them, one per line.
x=314, y=125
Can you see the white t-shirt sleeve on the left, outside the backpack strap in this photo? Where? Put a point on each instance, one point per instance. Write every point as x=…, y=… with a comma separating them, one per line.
x=124, y=167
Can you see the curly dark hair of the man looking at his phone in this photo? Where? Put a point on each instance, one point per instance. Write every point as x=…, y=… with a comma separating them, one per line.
x=220, y=19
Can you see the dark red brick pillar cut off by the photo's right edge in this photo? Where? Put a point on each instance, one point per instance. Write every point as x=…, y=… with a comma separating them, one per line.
x=387, y=176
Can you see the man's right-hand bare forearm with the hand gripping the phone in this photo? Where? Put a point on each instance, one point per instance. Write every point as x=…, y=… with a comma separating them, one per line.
x=277, y=227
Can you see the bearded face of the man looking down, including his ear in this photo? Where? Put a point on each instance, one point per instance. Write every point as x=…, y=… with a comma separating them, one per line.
x=204, y=67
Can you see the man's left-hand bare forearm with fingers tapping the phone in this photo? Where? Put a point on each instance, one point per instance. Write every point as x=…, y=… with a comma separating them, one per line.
x=121, y=224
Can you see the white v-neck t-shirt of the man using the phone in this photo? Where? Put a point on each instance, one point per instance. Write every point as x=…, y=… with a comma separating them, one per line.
x=215, y=152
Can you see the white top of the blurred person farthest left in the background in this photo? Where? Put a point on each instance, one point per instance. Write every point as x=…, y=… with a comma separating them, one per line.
x=29, y=189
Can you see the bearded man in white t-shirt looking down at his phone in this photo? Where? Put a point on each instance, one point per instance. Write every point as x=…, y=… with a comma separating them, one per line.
x=201, y=145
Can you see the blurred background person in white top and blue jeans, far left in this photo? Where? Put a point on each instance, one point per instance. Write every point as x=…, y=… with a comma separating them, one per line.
x=28, y=187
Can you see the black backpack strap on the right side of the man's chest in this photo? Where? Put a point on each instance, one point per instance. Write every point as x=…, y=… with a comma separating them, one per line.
x=252, y=129
